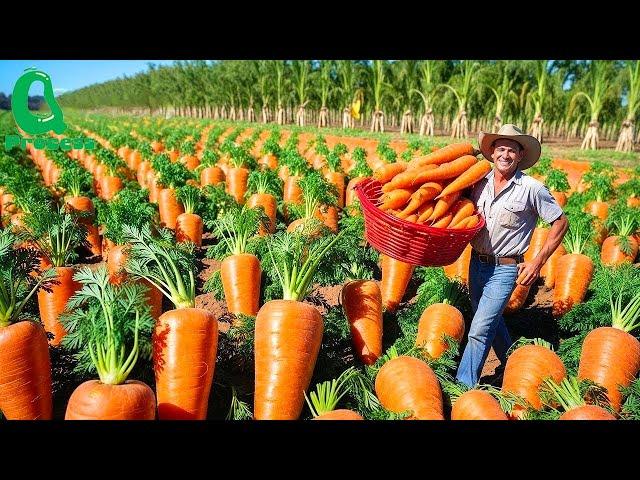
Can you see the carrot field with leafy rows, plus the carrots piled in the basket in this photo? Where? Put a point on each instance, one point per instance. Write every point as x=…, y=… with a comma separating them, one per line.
x=191, y=268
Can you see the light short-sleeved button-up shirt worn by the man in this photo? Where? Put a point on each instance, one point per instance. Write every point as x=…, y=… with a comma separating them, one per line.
x=511, y=216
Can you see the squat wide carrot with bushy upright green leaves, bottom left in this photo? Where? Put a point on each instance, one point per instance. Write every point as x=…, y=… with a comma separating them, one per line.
x=113, y=397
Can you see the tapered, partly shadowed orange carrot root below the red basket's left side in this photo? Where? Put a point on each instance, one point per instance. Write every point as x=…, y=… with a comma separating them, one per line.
x=362, y=304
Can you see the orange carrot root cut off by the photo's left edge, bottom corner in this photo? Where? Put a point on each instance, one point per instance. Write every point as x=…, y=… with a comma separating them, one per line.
x=25, y=372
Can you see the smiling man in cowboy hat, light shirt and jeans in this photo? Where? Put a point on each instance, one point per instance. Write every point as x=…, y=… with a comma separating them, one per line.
x=511, y=202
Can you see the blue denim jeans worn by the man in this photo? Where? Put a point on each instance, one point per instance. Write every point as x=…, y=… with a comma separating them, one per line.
x=490, y=288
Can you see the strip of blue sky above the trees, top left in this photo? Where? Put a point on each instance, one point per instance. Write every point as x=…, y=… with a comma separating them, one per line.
x=69, y=75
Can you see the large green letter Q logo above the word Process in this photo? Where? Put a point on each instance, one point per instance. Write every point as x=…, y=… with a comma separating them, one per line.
x=33, y=123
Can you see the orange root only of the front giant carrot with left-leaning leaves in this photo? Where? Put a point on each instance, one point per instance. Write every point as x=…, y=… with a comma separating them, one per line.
x=185, y=342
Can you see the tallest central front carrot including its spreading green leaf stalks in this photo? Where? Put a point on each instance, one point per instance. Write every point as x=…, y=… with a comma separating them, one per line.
x=288, y=333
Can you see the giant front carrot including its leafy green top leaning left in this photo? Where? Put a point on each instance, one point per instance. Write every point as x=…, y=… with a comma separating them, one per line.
x=185, y=339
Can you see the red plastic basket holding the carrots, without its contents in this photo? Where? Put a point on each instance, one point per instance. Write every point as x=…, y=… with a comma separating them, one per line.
x=409, y=242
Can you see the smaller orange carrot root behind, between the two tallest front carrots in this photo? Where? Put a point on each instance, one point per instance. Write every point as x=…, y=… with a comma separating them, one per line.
x=241, y=276
